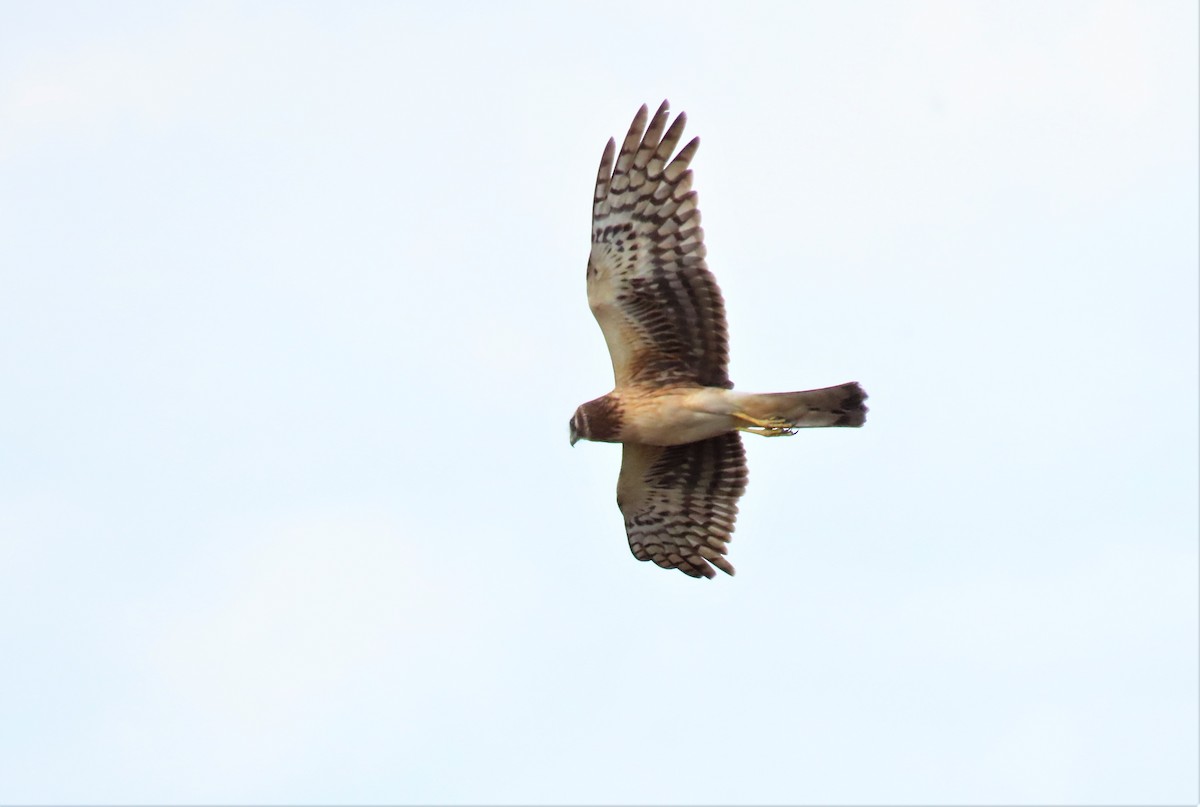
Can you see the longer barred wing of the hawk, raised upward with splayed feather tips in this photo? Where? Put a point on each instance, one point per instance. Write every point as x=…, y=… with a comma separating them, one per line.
x=658, y=306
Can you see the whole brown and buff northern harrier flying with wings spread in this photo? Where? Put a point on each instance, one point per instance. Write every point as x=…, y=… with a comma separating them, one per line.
x=674, y=407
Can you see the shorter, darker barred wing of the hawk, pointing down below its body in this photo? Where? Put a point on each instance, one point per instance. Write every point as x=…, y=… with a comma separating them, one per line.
x=681, y=503
